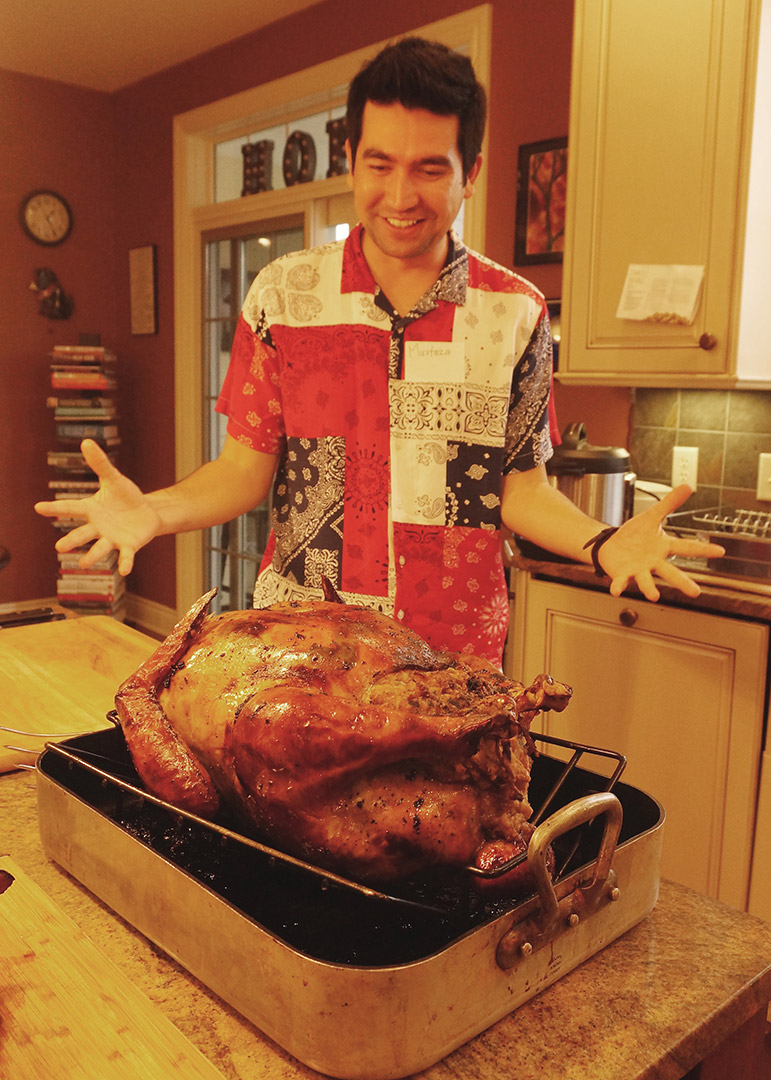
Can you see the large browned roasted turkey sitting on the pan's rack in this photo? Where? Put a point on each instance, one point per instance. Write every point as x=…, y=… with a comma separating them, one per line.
x=339, y=735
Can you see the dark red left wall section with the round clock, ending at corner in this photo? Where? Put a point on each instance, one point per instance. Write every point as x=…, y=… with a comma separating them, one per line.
x=60, y=138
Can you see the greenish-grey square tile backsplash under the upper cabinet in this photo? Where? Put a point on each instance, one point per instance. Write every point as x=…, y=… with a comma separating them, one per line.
x=731, y=428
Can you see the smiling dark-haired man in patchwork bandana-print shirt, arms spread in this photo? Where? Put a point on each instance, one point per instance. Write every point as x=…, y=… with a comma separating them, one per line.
x=394, y=389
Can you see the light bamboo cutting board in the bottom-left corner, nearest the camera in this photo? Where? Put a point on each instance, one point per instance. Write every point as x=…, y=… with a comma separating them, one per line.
x=69, y=1011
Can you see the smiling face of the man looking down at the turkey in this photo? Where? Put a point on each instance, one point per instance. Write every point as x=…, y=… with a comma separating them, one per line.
x=409, y=182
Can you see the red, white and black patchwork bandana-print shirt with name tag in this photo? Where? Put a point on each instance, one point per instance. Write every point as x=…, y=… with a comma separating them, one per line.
x=395, y=434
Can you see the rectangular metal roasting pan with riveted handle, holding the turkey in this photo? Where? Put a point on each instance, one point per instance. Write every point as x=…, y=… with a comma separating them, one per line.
x=355, y=982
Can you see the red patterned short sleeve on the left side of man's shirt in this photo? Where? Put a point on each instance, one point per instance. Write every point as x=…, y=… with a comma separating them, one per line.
x=251, y=395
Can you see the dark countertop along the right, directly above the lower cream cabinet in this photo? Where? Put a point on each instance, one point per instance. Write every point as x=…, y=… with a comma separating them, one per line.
x=720, y=600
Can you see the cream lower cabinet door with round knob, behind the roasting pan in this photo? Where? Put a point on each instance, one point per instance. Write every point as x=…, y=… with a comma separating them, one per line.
x=681, y=694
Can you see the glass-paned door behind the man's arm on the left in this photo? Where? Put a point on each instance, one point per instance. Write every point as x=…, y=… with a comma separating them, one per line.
x=234, y=551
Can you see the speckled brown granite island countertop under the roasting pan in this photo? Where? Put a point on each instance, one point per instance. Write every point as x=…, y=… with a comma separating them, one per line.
x=651, y=1006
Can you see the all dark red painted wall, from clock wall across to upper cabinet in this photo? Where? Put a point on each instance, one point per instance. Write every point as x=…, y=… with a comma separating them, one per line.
x=112, y=157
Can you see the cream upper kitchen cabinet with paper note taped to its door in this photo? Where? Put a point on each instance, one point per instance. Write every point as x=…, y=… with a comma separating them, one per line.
x=669, y=166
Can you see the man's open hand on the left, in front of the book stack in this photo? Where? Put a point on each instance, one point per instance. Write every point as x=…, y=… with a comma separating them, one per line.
x=119, y=516
